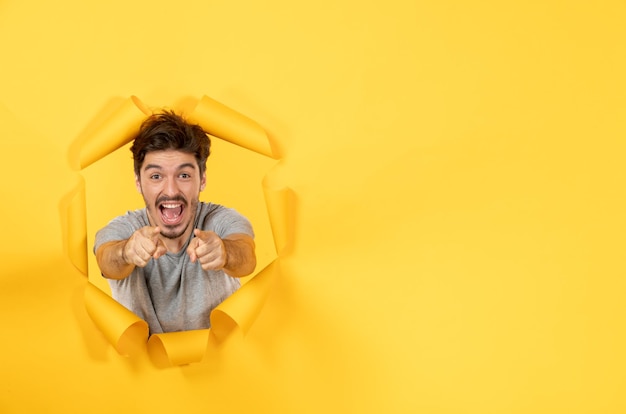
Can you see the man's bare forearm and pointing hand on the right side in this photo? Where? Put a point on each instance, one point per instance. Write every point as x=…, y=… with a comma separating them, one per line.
x=235, y=253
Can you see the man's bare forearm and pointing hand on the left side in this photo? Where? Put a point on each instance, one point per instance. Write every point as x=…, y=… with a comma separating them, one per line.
x=117, y=259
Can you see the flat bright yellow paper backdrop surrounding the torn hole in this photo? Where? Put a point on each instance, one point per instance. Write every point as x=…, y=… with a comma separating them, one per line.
x=458, y=169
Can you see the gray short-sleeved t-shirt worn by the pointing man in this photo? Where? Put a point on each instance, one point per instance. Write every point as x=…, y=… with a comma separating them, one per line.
x=171, y=293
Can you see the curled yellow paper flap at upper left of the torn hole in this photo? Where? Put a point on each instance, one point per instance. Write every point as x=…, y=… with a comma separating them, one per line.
x=114, y=132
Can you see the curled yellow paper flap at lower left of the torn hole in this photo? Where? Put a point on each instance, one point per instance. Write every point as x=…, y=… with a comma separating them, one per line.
x=122, y=328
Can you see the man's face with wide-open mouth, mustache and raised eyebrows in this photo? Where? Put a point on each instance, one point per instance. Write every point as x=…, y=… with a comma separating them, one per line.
x=170, y=183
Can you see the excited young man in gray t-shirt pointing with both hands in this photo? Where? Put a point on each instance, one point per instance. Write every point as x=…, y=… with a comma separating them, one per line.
x=175, y=260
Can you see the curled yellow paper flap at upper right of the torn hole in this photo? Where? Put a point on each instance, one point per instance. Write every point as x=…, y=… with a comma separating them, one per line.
x=221, y=121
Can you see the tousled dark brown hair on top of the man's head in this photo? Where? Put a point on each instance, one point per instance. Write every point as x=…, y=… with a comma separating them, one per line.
x=168, y=130
